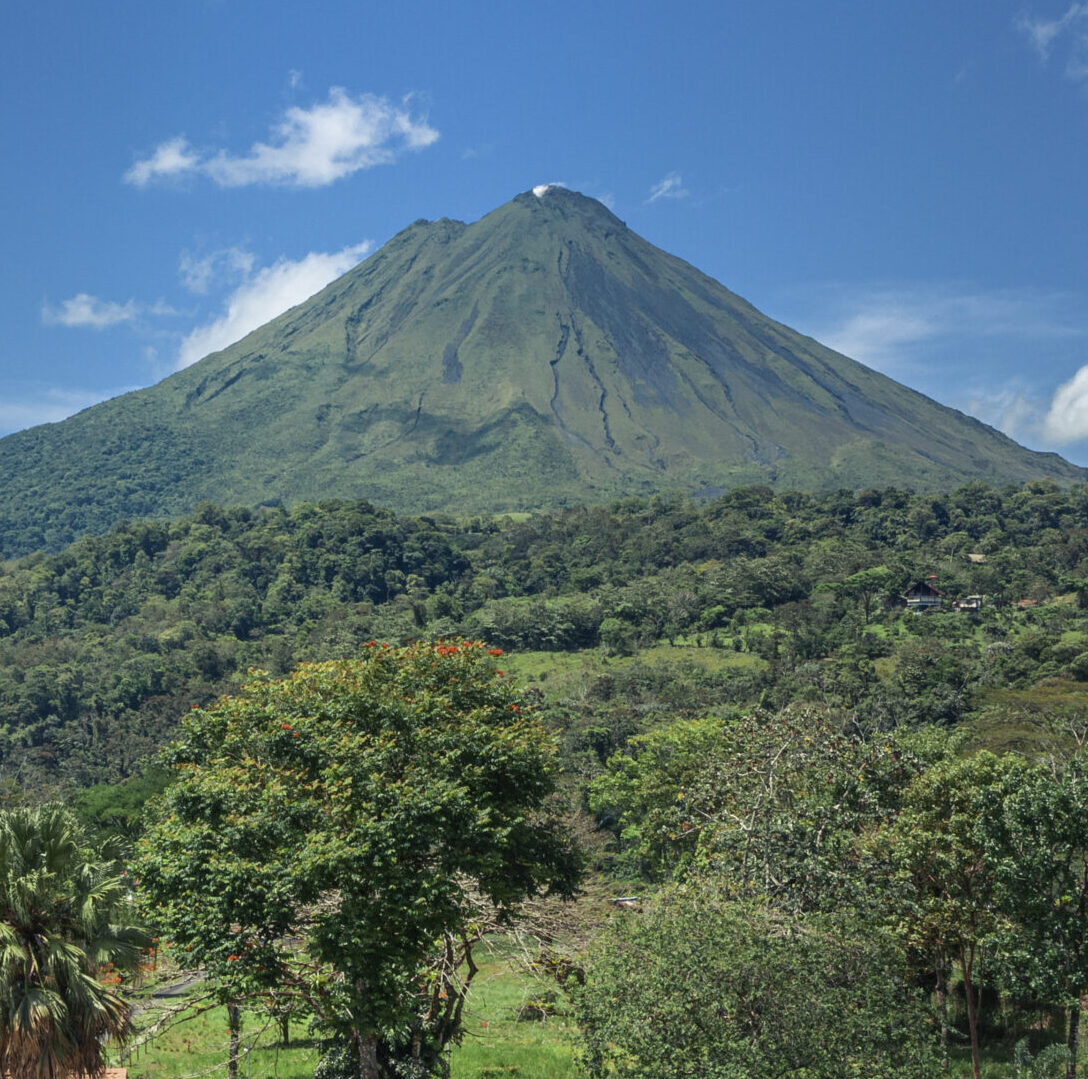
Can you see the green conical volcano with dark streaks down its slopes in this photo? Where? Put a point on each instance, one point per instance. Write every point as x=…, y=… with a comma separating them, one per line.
x=542, y=356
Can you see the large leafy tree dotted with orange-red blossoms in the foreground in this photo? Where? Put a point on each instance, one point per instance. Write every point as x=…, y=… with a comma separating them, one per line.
x=339, y=837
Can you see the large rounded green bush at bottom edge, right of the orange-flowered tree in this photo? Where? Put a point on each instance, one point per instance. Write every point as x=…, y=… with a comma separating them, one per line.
x=700, y=986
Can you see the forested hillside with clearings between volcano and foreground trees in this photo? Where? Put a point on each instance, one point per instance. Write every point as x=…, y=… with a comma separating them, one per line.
x=678, y=609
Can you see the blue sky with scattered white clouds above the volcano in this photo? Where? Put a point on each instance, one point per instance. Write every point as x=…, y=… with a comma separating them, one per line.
x=906, y=182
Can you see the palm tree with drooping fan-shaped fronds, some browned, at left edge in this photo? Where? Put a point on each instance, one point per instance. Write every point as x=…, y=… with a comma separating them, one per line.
x=63, y=922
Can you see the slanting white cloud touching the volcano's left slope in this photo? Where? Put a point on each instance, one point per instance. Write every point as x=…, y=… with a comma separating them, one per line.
x=267, y=294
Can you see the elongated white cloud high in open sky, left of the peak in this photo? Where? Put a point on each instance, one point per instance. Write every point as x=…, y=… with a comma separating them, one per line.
x=308, y=148
